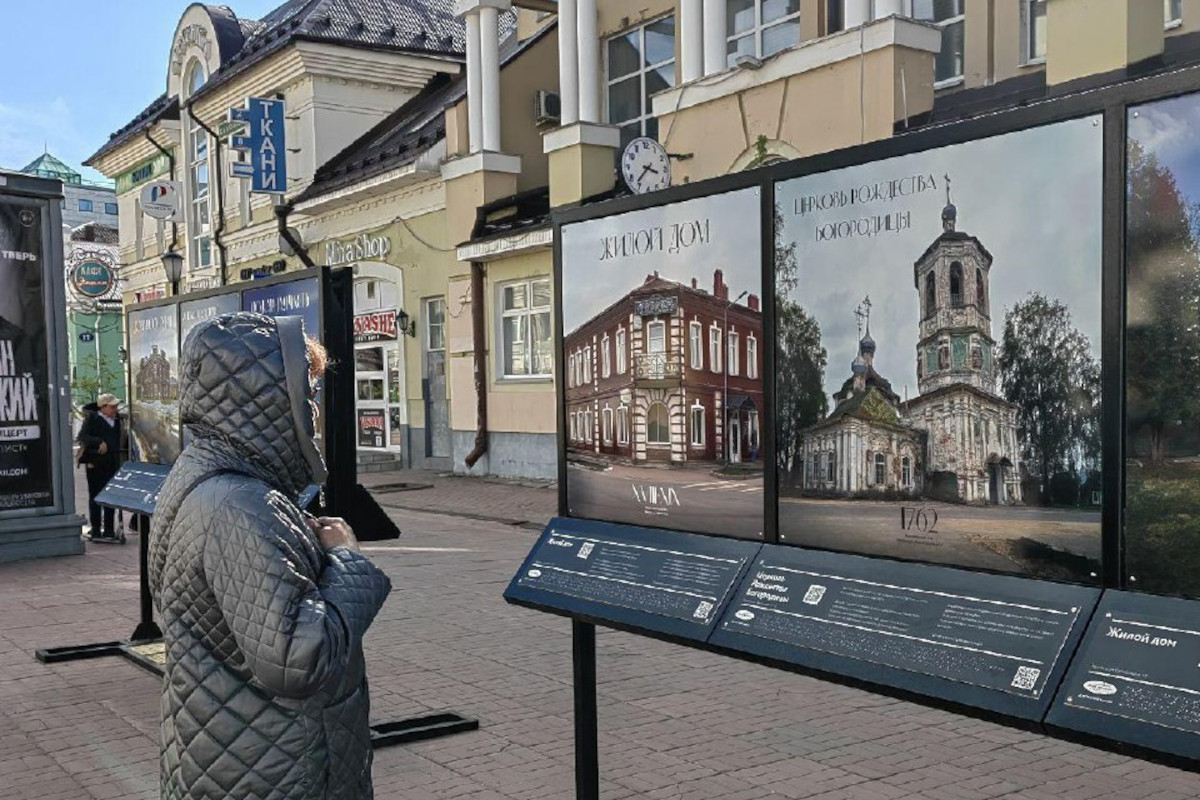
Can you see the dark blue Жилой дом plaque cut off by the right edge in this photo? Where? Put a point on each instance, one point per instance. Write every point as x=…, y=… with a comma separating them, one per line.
x=1137, y=676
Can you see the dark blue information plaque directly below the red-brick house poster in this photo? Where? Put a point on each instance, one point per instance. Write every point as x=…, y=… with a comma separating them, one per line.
x=653, y=580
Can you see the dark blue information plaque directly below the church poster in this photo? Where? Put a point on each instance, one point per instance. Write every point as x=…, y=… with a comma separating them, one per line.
x=992, y=642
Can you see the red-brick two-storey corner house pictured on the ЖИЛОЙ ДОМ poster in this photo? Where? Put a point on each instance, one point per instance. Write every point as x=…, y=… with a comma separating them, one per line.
x=671, y=375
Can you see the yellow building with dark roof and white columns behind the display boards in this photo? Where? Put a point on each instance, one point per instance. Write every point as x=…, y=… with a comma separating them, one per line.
x=429, y=157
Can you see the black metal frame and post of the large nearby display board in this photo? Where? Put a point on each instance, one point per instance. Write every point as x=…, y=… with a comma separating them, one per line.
x=1112, y=103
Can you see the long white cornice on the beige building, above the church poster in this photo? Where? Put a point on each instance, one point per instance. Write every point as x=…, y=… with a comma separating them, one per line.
x=856, y=43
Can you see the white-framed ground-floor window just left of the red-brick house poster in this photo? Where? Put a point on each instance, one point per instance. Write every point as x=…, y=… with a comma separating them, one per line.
x=526, y=333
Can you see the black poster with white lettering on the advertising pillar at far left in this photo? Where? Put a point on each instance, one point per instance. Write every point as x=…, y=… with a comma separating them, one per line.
x=26, y=462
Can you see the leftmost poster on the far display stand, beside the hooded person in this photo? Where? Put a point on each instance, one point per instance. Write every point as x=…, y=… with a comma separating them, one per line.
x=154, y=384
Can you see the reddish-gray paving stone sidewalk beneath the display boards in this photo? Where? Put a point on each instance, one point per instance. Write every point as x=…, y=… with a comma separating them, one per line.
x=676, y=724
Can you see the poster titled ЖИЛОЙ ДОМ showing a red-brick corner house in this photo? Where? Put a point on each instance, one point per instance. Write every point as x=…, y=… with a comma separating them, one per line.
x=663, y=363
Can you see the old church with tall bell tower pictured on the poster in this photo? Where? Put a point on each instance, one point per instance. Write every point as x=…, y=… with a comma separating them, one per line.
x=883, y=442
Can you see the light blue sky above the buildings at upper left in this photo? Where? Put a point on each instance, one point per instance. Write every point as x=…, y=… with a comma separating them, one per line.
x=77, y=70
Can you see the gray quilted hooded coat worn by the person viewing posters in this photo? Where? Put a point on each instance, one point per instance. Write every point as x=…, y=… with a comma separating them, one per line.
x=266, y=691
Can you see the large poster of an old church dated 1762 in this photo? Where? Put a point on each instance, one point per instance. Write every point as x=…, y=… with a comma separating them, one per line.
x=939, y=356
